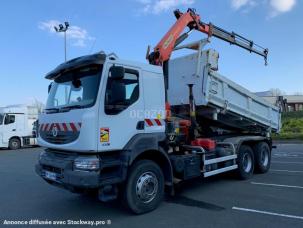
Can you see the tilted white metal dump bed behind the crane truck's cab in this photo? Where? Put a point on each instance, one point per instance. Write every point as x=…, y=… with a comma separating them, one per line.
x=217, y=98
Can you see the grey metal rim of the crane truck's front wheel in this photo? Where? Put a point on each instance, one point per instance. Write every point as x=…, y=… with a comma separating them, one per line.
x=147, y=187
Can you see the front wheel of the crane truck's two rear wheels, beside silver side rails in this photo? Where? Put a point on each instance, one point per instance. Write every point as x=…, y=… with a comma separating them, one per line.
x=245, y=162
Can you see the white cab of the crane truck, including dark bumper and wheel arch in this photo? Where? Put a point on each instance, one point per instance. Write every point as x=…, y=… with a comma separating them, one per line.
x=101, y=114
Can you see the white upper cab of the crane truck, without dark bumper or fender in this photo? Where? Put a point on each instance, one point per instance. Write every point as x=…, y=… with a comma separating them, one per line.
x=95, y=99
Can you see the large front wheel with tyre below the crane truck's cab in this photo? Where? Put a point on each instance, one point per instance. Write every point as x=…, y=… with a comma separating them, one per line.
x=144, y=187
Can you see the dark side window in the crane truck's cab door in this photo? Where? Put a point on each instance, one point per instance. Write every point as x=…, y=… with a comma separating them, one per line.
x=121, y=93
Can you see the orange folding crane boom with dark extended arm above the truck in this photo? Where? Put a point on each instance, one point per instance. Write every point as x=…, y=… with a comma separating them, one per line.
x=190, y=19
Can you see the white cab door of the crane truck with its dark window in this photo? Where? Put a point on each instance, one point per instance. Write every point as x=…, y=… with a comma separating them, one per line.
x=121, y=113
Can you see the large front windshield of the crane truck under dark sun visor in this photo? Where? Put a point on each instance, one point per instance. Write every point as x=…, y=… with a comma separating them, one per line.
x=75, y=89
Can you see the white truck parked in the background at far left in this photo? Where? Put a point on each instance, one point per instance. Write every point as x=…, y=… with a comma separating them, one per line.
x=18, y=126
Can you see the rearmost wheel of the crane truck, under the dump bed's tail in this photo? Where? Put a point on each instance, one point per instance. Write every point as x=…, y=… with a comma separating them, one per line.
x=262, y=157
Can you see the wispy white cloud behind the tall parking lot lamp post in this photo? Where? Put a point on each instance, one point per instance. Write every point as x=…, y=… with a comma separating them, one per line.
x=76, y=34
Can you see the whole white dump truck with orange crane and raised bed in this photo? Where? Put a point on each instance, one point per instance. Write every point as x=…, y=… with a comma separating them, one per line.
x=130, y=129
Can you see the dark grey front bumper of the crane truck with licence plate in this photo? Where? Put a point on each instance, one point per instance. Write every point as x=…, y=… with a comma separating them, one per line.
x=60, y=165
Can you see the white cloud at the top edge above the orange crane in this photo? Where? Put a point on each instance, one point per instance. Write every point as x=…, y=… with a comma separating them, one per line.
x=159, y=6
